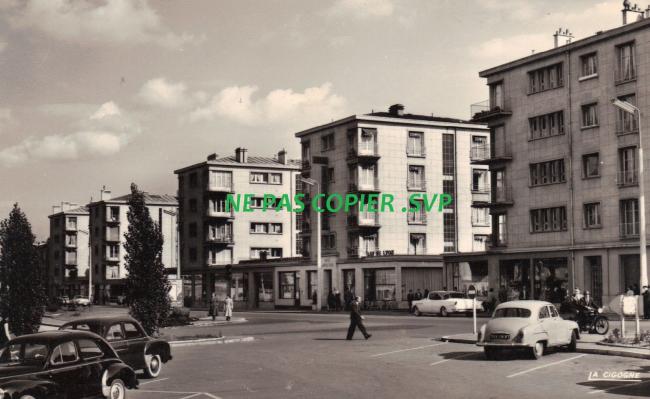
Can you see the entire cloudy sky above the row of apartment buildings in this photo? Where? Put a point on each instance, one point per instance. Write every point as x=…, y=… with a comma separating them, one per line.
x=104, y=93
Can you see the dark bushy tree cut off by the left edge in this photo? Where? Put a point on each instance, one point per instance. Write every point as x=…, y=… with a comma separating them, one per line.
x=22, y=295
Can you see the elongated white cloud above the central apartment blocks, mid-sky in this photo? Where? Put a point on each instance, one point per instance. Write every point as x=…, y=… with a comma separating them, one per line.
x=281, y=105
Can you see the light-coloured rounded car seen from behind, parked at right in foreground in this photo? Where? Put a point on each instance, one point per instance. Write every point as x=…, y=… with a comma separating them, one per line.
x=530, y=325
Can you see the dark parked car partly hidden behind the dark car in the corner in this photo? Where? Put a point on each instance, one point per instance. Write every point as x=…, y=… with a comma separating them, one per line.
x=129, y=340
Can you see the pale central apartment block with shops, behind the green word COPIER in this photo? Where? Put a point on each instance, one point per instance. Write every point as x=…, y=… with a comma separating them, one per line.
x=381, y=256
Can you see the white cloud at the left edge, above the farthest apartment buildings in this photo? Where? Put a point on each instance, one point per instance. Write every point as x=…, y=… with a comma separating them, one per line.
x=105, y=132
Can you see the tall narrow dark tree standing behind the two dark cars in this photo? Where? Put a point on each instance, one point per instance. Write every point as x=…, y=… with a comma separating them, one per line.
x=146, y=284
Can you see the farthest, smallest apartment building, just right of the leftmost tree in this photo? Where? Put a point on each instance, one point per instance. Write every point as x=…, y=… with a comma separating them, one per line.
x=68, y=254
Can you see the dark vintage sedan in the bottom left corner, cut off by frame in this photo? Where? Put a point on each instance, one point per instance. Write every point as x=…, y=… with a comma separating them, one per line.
x=63, y=365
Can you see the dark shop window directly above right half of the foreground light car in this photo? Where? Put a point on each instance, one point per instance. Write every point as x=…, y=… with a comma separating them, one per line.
x=551, y=279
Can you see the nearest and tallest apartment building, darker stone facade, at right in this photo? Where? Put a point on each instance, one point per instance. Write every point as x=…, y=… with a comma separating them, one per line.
x=563, y=163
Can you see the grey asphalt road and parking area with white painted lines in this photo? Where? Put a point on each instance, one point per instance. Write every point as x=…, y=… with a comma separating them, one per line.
x=306, y=356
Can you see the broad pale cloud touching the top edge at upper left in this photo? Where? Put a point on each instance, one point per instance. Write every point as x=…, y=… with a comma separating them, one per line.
x=114, y=21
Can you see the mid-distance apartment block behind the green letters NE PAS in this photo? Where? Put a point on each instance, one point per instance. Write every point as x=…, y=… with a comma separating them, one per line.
x=214, y=240
